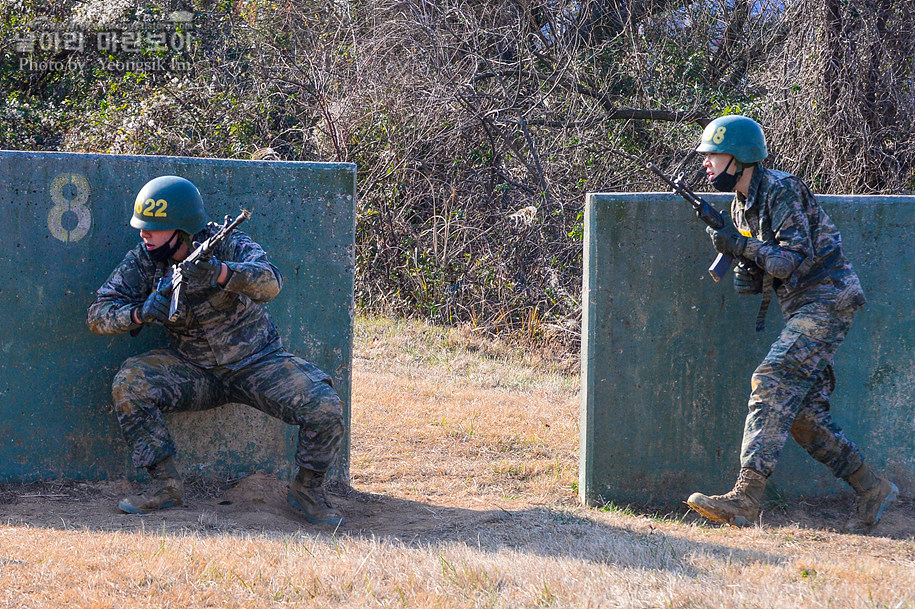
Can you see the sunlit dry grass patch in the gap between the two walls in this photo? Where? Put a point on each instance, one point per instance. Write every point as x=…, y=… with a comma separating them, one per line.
x=470, y=418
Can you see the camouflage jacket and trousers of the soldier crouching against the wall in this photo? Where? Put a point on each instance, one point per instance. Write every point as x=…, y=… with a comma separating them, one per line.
x=223, y=348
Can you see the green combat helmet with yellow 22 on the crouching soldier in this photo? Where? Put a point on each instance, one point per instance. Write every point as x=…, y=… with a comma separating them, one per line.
x=169, y=203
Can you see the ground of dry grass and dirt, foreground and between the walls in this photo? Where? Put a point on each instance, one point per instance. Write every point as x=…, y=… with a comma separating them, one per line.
x=463, y=459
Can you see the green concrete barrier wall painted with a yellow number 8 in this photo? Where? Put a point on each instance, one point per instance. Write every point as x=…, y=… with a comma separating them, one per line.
x=64, y=229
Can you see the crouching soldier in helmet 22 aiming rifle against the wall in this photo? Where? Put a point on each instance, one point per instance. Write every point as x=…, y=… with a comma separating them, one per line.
x=222, y=348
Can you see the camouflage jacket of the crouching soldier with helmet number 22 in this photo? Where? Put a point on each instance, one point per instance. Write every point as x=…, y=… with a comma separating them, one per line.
x=217, y=326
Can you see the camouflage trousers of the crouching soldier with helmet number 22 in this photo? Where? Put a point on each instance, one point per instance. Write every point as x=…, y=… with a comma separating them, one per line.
x=280, y=384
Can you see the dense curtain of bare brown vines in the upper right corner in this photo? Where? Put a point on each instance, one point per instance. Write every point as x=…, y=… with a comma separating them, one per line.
x=841, y=95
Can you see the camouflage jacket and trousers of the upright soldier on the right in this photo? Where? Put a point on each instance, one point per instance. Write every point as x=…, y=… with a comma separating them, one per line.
x=819, y=295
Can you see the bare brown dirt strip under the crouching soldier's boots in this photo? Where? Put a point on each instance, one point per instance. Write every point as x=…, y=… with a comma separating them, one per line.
x=256, y=503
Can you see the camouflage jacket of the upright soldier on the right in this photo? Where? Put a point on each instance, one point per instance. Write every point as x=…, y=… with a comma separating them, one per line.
x=796, y=242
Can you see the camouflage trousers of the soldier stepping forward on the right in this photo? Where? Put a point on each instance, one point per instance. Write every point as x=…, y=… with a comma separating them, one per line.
x=790, y=395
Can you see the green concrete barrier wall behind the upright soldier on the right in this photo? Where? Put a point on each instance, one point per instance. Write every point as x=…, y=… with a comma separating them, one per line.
x=667, y=353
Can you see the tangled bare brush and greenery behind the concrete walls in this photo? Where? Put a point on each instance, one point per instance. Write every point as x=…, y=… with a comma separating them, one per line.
x=477, y=126
